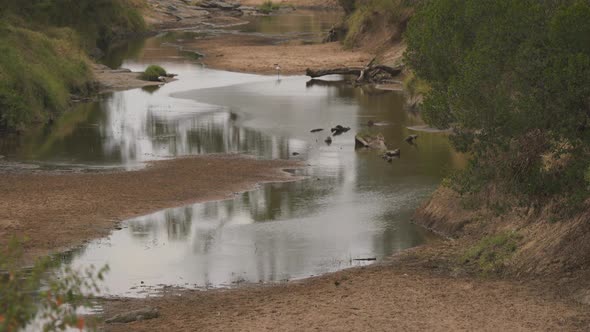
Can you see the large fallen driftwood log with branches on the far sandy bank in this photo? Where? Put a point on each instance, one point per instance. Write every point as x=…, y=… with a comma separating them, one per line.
x=371, y=73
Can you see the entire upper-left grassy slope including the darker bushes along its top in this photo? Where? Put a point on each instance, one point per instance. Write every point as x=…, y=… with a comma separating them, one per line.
x=43, y=48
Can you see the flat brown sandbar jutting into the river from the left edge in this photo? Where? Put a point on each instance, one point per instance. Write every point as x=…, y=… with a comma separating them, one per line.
x=57, y=211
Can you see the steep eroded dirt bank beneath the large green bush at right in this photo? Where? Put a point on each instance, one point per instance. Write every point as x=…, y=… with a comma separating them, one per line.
x=539, y=246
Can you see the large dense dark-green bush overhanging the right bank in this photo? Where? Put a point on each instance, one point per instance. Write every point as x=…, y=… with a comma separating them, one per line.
x=512, y=78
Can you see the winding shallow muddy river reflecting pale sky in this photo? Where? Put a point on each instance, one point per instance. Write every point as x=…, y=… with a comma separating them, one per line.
x=352, y=204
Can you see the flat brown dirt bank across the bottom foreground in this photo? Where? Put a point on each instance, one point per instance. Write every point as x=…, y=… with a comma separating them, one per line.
x=414, y=292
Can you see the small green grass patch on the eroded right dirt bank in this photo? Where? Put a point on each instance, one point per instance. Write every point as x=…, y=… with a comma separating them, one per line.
x=491, y=253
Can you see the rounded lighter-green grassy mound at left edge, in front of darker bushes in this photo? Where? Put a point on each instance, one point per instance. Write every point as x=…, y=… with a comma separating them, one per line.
x=37, y=74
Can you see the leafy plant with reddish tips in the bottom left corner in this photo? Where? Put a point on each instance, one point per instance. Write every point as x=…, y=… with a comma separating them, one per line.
x=42, y=293
